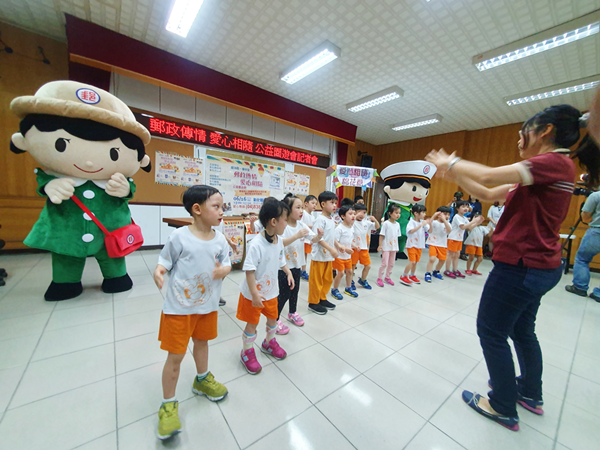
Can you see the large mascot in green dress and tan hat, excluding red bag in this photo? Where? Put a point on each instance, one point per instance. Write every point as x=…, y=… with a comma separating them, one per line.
x=89, y=145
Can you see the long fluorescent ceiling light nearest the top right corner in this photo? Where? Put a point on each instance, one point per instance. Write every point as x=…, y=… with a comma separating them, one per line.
x=566, y=33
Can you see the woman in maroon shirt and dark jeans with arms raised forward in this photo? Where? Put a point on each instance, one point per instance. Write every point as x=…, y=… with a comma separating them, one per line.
x=527, y=252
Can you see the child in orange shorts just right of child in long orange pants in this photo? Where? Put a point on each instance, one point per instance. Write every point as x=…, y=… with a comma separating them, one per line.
x=344, y=235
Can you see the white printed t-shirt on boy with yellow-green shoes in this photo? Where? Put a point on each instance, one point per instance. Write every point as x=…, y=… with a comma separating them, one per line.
x=191, y=262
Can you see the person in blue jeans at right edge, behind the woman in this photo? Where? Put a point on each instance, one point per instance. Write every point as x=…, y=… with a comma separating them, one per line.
x=590, y=247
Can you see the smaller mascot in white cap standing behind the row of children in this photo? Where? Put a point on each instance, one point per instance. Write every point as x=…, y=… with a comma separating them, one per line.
x=406, y=184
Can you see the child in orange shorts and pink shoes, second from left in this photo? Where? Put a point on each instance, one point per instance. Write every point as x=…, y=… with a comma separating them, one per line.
x=260, y=288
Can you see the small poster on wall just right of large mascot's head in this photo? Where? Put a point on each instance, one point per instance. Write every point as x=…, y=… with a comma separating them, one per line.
x=177, y=170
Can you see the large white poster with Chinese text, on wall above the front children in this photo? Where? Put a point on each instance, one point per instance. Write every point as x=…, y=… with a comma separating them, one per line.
x=244, y=185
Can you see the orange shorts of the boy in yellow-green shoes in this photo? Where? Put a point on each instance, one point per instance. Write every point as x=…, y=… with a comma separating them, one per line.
x=175, y=331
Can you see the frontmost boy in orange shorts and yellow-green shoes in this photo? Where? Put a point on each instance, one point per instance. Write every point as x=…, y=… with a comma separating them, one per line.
x=198, y=259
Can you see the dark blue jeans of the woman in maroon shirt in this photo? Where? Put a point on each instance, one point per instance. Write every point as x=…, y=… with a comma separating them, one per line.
x=508, y=308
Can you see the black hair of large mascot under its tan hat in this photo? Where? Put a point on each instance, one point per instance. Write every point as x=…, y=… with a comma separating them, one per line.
x=82, y=128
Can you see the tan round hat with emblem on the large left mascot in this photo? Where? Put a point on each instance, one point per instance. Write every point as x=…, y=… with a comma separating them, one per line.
x=80, y=101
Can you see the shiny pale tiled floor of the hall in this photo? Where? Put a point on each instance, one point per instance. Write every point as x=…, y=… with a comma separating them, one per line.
x=385, y=370
